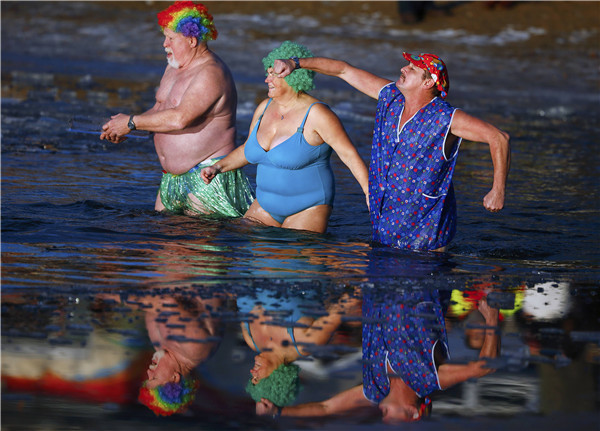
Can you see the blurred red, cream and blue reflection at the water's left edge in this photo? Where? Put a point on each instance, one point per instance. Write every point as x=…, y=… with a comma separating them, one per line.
x=63, y=345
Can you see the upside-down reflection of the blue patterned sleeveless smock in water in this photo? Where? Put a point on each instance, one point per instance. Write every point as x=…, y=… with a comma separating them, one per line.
x=403, y=333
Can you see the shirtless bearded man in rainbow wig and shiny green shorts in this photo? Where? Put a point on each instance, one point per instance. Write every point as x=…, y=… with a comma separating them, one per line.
x=193, y=119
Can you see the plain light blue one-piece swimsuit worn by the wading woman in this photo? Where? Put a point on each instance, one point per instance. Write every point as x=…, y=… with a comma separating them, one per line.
x=293, y=176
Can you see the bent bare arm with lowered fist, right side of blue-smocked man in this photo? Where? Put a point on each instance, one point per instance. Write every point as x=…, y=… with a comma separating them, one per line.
x=473, y=129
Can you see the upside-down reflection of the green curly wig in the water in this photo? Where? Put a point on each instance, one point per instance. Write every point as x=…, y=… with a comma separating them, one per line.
x=281, y=387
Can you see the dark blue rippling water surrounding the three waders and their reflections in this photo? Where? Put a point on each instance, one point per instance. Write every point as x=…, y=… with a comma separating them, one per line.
x=78, y=225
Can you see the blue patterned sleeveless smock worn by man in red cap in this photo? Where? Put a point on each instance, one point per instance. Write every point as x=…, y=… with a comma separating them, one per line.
x=412, y=201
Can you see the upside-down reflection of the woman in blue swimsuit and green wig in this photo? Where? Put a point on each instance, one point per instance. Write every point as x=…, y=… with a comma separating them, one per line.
x=283, y=326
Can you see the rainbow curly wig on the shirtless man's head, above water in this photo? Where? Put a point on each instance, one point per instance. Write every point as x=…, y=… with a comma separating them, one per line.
x=190, y=19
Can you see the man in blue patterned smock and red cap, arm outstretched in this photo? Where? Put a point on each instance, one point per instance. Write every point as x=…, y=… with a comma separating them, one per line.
x=416, y=137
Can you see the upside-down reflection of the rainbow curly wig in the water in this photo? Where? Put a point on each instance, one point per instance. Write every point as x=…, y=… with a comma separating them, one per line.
x=171, y=397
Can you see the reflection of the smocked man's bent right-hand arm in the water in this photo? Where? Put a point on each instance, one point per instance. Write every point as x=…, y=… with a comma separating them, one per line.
x=451, y=374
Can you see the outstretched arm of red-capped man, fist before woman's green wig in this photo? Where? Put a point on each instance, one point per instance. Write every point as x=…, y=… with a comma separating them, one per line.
x=363, y=81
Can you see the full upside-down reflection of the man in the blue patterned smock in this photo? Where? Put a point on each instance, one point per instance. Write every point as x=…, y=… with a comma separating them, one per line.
x=405, y=358
